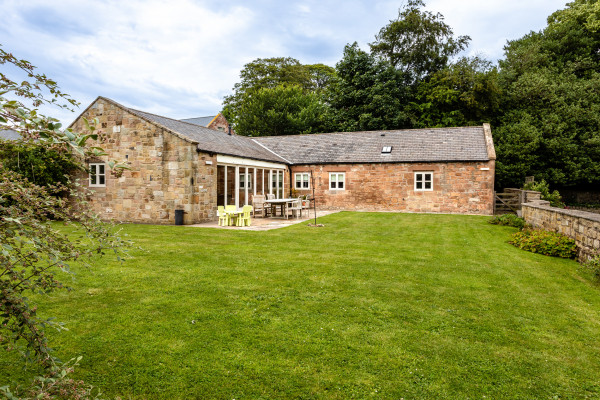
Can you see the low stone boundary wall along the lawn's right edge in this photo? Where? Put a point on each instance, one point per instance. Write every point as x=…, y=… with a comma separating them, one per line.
x=582, y=226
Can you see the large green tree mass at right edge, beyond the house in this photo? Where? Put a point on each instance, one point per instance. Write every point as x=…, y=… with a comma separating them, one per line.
x=550, y=126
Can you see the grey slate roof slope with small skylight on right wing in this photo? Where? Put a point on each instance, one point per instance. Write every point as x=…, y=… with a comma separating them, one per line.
x=411, y=145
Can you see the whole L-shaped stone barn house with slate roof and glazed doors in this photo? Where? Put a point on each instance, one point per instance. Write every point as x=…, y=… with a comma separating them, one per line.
x=183, y=165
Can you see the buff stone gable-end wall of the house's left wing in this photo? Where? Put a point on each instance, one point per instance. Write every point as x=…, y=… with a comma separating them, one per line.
x=166, y=172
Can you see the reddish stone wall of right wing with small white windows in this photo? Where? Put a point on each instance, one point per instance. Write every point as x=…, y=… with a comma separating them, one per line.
x=458, y=187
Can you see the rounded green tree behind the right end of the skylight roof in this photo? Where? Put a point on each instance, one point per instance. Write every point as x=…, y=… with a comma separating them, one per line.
x=462, y=94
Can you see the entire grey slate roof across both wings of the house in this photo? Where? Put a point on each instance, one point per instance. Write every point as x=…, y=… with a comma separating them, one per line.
x=409, y=145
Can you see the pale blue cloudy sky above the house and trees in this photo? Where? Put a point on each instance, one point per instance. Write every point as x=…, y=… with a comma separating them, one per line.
x=178, y=58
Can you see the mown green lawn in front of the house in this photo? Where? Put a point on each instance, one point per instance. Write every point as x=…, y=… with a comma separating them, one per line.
x=373, y=305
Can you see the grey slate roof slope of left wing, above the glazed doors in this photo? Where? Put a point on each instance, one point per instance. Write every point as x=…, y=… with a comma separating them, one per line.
x=212, y=141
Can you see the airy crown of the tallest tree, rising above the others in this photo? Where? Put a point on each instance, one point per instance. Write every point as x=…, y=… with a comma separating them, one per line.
x=418, y=43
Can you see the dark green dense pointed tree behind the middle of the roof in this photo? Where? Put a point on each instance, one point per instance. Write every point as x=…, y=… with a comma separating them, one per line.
x=367, y=93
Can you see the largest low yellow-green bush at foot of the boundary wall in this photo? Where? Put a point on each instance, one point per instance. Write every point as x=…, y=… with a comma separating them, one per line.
x=545, y=242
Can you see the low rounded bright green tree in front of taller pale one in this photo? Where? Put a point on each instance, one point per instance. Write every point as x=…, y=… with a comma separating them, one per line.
x=282, y=110
